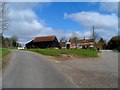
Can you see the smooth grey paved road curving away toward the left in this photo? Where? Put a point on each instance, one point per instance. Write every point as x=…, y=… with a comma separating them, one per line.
x=31, y=70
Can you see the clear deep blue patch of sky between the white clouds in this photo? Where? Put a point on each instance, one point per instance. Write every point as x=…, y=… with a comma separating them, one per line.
x=54, y=14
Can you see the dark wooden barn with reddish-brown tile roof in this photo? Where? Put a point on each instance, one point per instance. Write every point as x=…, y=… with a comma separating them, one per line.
x=44, y=42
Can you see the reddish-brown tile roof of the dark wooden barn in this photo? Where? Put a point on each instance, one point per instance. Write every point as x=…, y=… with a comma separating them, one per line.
x=44, y=39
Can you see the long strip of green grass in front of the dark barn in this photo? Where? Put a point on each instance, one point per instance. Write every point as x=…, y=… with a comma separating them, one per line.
x=58, y=52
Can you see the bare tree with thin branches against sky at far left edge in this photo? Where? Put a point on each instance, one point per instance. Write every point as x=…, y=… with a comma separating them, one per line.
x=3, y=17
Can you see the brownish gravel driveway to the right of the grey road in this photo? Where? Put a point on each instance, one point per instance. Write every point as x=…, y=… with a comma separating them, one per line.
x=99, y=72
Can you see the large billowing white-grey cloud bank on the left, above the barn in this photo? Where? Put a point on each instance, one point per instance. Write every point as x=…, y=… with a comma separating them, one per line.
x=26, y=25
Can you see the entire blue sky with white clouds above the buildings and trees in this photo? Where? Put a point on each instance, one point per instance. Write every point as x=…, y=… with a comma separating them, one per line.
x=32, y=19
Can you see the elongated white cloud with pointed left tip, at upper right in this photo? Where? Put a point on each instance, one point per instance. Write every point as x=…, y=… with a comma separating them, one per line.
x=89, y=19
